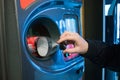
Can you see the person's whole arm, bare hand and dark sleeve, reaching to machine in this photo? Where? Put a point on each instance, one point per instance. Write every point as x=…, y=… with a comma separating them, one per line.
x=98, y=52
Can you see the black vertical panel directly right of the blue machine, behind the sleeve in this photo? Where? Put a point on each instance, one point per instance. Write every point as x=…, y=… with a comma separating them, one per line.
x=93, y=30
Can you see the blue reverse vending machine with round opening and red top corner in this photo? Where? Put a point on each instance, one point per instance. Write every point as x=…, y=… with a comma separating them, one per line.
x=41, y=22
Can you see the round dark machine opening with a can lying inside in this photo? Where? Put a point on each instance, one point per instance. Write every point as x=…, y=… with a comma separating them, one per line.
x=41, y=36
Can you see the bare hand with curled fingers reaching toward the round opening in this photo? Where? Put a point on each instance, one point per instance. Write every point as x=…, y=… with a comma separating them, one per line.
x=81, y=45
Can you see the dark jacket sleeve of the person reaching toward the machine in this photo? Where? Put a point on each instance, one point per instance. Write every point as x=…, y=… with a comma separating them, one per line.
x=104, y=55
